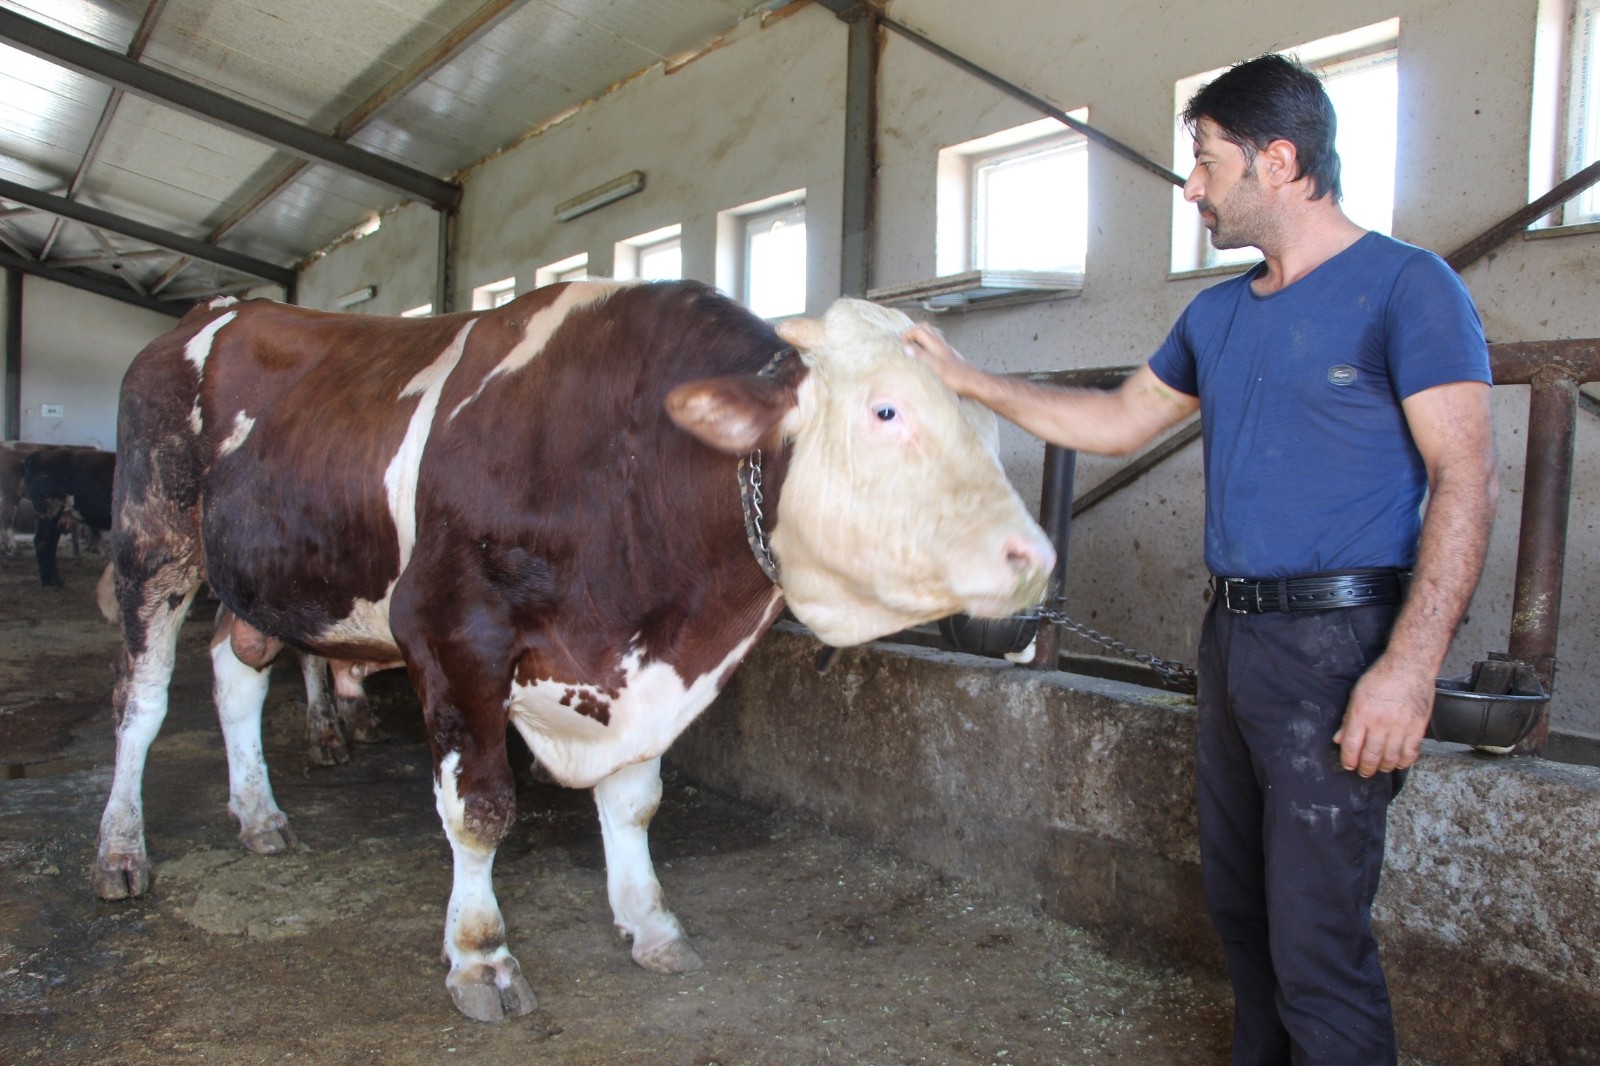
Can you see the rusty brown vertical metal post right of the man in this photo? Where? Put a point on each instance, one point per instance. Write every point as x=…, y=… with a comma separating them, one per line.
x=1546, y=497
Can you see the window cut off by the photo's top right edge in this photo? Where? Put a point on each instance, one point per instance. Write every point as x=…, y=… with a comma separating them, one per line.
x=1567, y=105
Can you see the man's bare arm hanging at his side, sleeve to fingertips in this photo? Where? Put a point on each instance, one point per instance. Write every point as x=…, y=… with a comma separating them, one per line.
x=1391, y=705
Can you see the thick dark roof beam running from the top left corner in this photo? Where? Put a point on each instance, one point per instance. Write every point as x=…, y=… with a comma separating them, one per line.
x=134, y=78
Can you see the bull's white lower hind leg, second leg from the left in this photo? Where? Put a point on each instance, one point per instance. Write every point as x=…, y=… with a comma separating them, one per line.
x=241, y=691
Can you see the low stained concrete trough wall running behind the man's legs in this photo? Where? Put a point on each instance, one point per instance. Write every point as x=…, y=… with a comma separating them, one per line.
x=1078, y=796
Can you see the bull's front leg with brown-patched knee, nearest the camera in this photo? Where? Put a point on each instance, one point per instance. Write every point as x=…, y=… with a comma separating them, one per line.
x=476, y=804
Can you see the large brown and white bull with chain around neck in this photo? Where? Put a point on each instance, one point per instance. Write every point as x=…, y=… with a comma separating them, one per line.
x=540, y=511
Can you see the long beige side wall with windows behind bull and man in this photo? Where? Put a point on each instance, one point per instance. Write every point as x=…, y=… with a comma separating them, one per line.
x=764, y=114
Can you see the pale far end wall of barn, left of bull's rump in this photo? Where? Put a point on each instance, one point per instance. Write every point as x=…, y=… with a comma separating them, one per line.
x=76, y=348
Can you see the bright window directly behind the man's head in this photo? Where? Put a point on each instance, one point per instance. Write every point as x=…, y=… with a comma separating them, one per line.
x=1361, y=73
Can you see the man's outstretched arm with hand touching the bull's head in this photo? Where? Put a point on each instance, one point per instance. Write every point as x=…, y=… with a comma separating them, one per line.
x=1087, y=420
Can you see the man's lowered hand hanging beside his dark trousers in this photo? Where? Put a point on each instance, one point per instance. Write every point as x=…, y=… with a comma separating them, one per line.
x=1386, y=719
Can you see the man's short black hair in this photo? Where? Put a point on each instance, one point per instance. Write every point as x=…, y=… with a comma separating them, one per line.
x=1274, y=98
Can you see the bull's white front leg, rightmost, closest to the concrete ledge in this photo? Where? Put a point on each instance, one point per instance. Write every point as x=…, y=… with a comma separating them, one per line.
x=628, y=801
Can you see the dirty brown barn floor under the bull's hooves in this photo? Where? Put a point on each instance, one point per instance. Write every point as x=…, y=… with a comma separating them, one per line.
x=820, y=950
